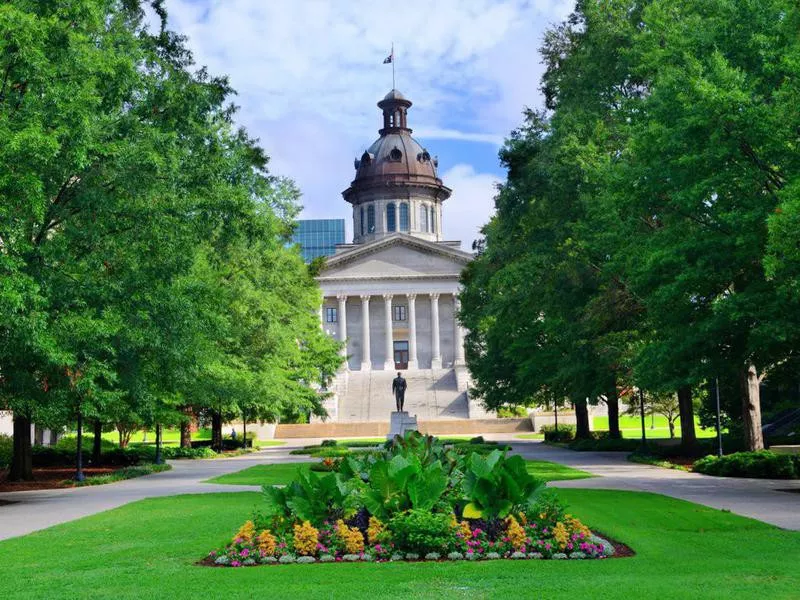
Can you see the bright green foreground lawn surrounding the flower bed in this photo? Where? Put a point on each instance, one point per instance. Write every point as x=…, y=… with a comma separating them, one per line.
x=148, y=548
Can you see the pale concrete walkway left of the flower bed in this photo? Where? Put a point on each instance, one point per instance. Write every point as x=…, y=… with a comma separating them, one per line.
x=34, y=510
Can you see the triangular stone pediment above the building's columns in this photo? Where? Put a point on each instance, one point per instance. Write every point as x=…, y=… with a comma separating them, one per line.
x=397, y=256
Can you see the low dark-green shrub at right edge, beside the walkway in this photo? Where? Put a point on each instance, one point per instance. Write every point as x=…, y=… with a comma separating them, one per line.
x=763, y=464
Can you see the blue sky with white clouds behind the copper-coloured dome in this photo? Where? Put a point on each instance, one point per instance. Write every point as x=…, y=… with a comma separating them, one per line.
x=309, y=73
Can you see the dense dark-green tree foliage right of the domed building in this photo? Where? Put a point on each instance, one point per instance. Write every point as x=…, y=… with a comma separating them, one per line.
x=644, y=234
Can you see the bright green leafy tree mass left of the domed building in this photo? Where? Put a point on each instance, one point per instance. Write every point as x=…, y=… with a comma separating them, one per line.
x=144, y=259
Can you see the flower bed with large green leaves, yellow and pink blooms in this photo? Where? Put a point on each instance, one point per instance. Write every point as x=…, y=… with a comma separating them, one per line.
x=415, y=500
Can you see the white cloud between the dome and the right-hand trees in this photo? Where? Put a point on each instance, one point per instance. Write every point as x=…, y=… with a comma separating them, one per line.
x=471, y=204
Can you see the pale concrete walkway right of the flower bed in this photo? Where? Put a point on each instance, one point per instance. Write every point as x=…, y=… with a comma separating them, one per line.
x=755, y=498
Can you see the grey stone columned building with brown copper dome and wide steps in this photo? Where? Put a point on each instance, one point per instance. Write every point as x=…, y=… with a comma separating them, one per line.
x=392, y=294
